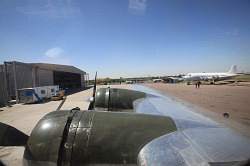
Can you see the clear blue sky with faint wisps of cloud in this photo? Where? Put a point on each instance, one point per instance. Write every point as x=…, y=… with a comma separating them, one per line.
x=128, y=37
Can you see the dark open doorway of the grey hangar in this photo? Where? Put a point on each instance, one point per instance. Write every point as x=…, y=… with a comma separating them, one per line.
x=66, y=80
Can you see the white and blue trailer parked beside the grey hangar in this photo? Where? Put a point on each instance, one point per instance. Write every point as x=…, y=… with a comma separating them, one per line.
x=37, y=94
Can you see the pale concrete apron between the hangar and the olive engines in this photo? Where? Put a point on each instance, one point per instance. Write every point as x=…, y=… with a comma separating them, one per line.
x=24, y=117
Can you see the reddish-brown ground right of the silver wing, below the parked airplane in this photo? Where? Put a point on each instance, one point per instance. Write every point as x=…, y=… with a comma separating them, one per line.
x=213, y=101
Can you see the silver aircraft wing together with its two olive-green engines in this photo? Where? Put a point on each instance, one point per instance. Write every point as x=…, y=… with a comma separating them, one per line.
x=130, y=127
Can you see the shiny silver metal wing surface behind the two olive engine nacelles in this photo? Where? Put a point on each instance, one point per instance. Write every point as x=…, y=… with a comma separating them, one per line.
x=197, y=141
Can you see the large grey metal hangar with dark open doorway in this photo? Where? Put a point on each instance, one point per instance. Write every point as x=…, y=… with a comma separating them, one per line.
x=17, y=75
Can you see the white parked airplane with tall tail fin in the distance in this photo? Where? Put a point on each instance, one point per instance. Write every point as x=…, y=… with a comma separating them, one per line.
x=212, y=76
